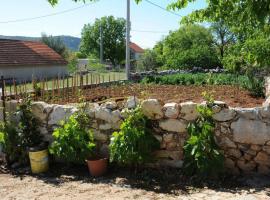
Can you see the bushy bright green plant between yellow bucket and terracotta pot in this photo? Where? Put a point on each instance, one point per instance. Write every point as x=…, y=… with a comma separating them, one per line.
x=73, y=141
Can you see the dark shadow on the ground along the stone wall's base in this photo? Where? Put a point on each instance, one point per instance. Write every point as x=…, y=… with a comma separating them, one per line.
x=167, y=181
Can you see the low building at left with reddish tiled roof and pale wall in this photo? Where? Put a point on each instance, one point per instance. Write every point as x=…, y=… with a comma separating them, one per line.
x=23, y=60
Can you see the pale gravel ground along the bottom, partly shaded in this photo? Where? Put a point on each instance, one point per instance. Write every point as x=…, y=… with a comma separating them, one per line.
x=119, y=187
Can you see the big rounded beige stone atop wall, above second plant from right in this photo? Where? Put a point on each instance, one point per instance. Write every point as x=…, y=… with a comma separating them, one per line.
x=152, y=109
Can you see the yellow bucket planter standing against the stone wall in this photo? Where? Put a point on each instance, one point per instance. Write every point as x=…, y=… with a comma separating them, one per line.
x=39, y=161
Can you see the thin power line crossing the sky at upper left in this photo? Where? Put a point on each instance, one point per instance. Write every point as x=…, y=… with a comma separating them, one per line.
x=48, y=15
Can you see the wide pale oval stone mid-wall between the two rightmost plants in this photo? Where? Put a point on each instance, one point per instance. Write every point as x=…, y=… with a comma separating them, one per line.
x=173, y=125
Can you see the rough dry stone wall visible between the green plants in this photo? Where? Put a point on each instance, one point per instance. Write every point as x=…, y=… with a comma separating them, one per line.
x=243, y=134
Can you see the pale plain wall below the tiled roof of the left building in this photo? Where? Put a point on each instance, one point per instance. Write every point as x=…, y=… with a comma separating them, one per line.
x=25, y=73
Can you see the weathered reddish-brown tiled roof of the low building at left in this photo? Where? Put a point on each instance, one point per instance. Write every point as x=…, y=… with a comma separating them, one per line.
x=17, y=53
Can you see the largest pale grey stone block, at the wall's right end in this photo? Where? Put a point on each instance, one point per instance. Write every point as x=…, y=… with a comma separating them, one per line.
x=250, y=131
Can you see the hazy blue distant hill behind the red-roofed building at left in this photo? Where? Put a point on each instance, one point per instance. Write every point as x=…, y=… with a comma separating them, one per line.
x=72, y=43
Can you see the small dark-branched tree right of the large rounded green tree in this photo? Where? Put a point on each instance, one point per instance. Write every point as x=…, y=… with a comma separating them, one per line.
x=223, y=37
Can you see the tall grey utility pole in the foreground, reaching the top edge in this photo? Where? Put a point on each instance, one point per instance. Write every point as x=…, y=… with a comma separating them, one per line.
x=128, y=41
